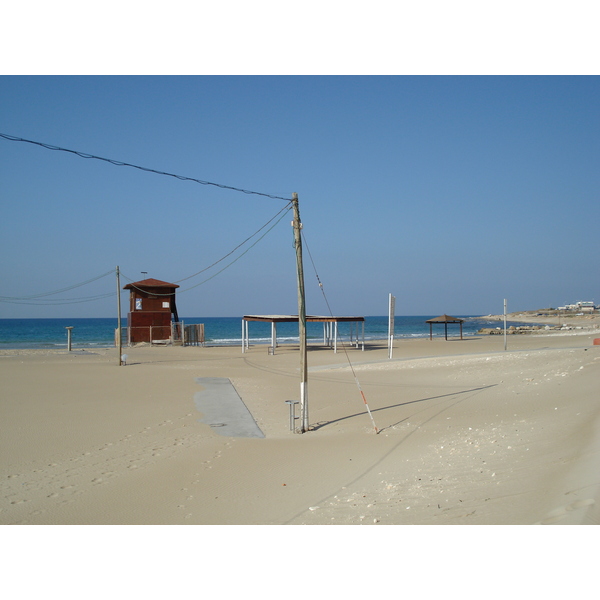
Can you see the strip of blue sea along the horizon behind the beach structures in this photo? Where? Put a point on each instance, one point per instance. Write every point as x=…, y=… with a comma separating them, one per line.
x=219, y=331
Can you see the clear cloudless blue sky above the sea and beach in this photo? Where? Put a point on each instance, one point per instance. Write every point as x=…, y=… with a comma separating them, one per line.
x=451, y=192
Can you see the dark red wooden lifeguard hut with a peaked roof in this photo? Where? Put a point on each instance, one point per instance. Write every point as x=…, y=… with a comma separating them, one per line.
x=151, y=310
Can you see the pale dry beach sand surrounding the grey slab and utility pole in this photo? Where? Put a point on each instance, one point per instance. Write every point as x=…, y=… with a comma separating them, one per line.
x=468, y=434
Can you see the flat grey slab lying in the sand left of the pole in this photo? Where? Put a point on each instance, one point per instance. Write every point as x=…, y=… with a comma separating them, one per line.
x=223, y=409
